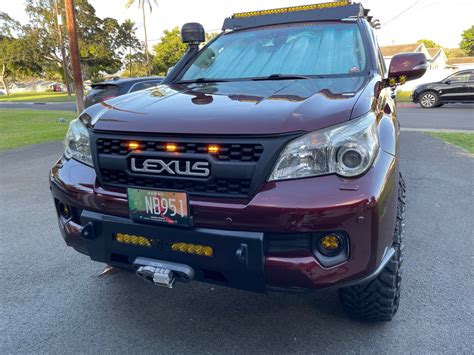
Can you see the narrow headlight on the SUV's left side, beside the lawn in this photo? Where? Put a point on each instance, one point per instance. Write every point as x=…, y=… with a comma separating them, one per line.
x=77, y=144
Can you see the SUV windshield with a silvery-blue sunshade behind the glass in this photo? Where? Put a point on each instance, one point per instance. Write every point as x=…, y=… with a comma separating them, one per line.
x=301, y=49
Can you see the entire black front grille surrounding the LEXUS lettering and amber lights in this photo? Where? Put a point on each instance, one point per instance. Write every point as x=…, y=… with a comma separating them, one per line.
x=238, y=169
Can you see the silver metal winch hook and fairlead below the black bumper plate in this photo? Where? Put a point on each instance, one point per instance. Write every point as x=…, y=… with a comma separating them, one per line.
x=162, y=273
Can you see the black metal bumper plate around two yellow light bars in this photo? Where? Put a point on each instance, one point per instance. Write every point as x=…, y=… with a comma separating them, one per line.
x=238, y=259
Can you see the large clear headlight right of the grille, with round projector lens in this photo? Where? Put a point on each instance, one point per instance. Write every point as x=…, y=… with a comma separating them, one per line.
x=348, y=150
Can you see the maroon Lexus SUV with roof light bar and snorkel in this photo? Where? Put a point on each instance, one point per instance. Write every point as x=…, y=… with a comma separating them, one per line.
x=267, y=160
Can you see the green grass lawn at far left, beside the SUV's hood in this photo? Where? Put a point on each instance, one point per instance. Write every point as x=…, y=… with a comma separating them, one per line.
x=20, y=128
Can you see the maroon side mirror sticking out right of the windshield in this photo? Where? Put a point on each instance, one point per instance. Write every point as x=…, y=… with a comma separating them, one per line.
x=405, y=67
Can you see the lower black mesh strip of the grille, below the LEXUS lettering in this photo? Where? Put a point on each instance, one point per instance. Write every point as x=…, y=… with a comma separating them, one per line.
x=218, y=186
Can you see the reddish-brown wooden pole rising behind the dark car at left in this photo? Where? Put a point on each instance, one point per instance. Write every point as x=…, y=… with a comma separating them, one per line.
x=74, y=52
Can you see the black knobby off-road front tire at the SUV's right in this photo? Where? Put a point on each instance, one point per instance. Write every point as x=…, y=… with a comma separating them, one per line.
x=378, y=299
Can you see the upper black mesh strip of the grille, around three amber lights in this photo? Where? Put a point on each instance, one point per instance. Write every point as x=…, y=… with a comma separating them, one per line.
x=237, y=152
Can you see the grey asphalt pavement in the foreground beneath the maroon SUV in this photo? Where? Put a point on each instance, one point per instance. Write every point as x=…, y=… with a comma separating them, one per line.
x=52, y=300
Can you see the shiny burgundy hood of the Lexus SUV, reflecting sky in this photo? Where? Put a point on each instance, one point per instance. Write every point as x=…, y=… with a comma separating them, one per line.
x=245, y=107
